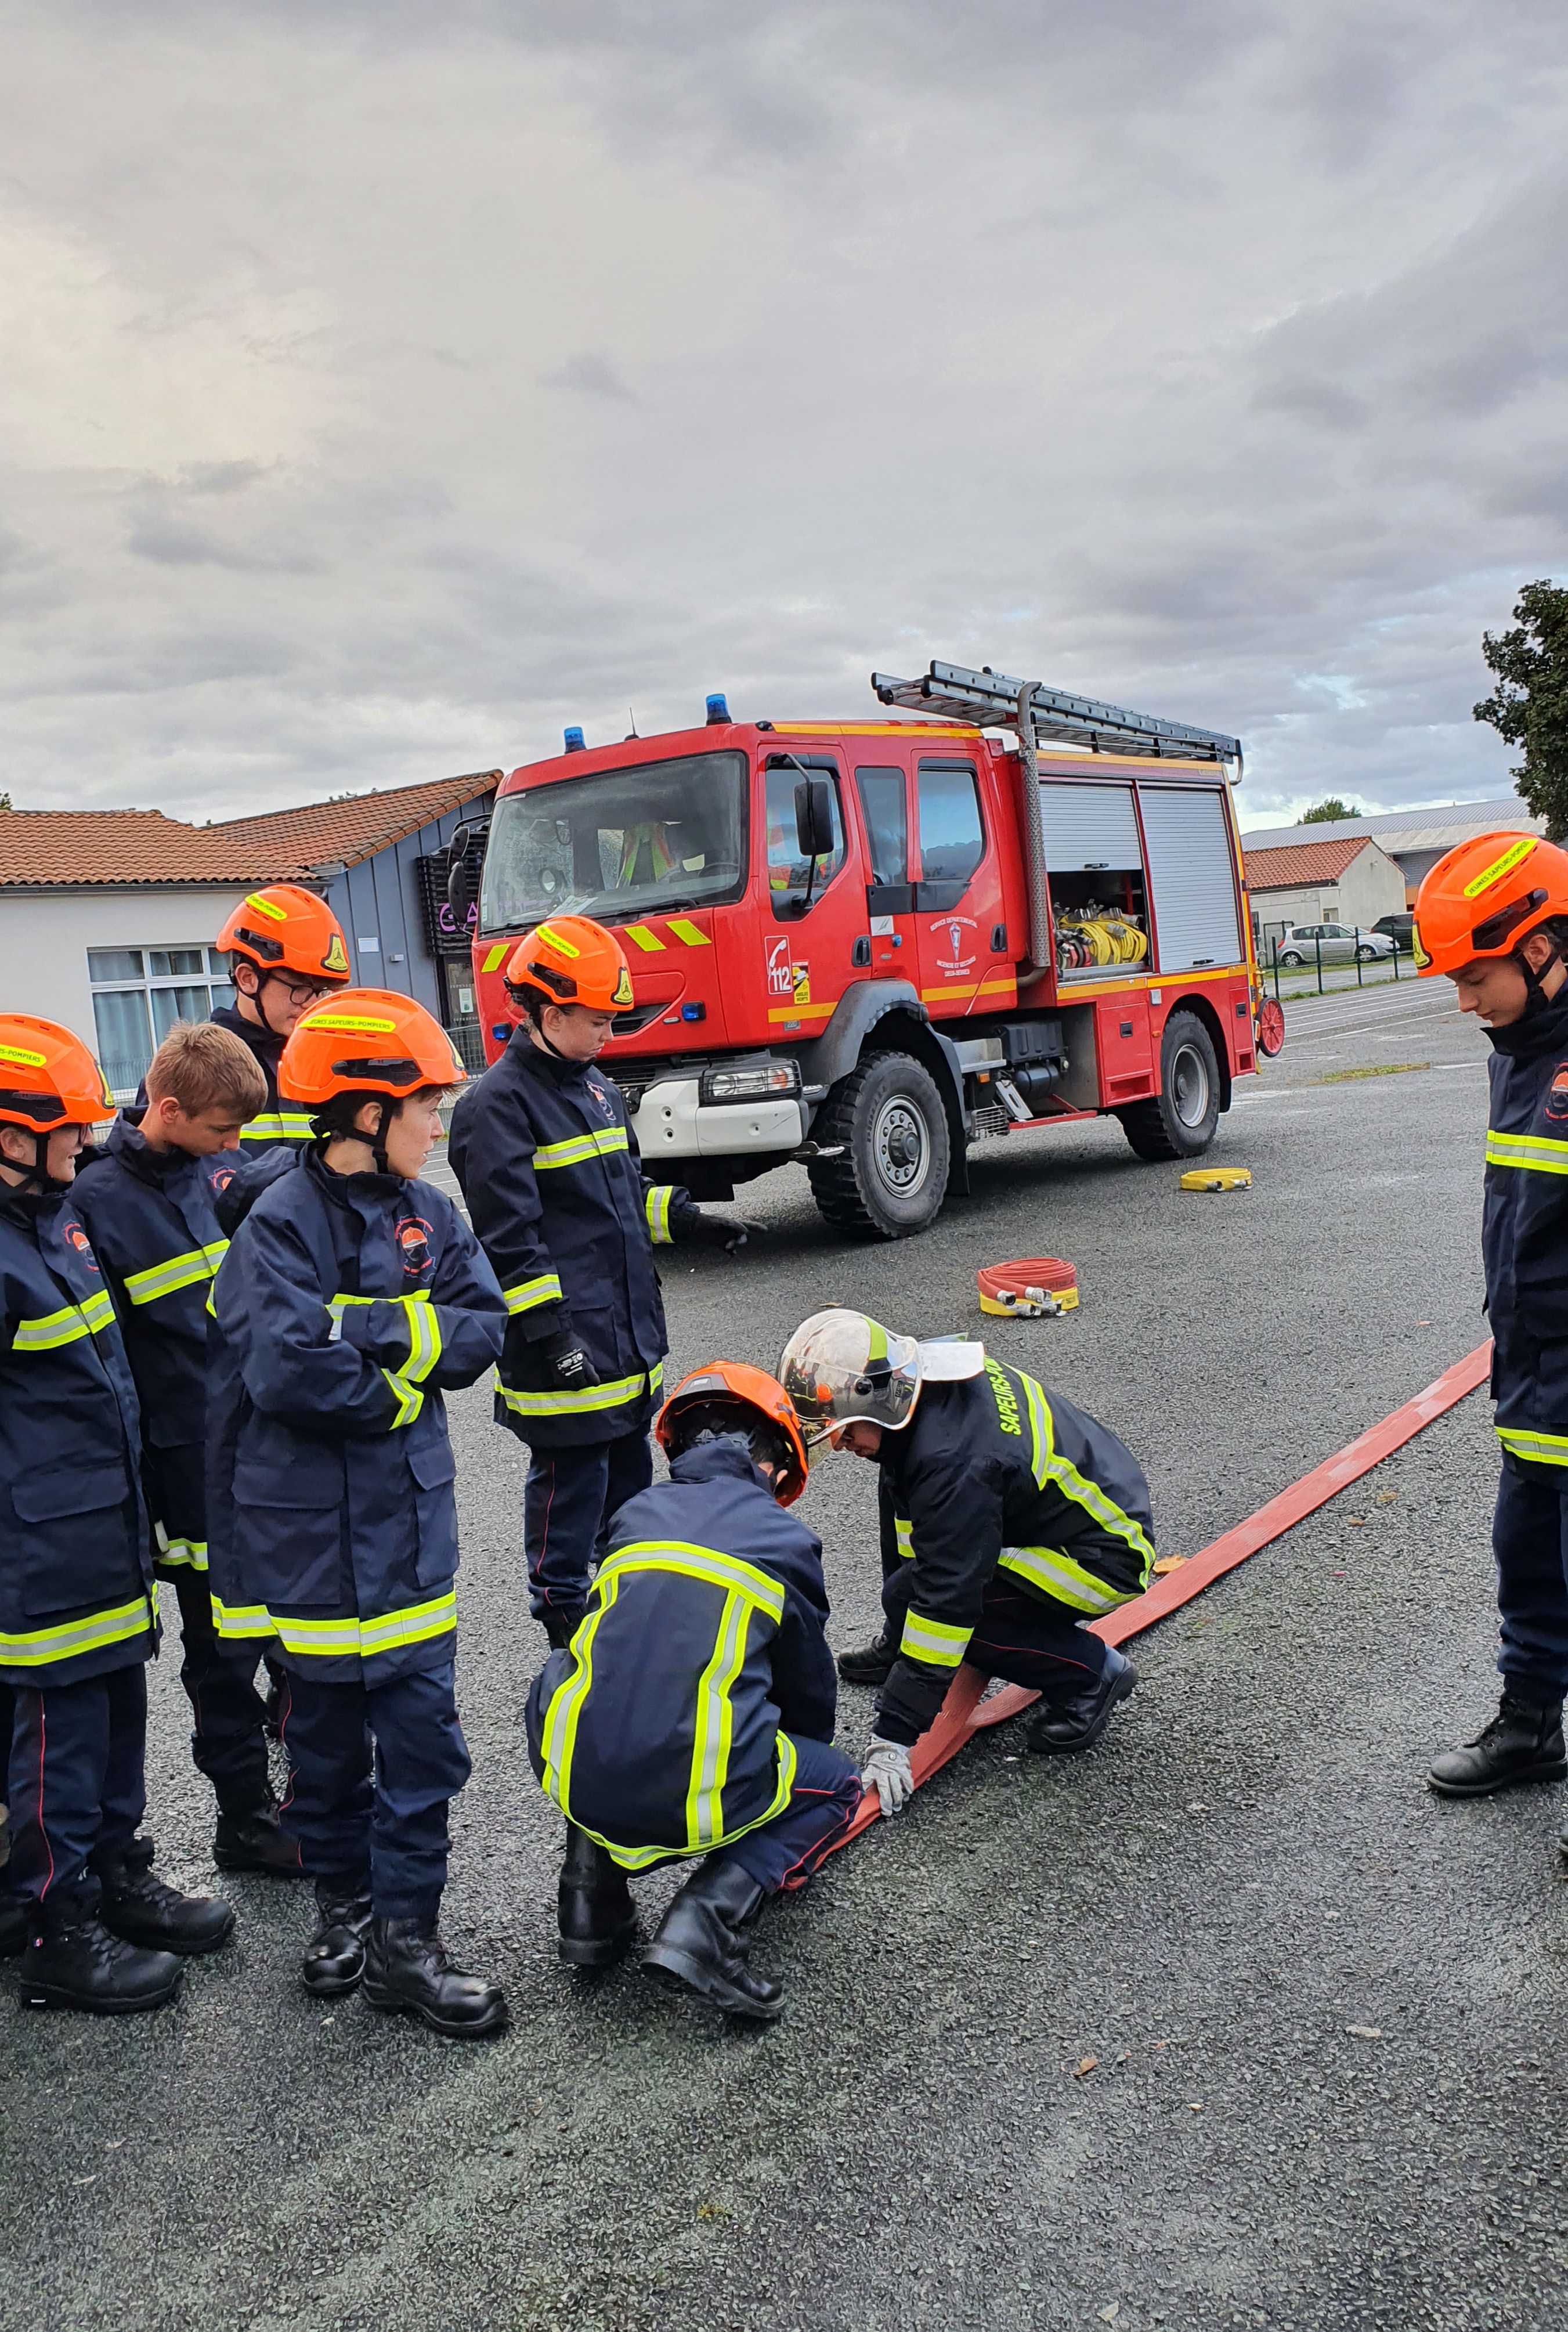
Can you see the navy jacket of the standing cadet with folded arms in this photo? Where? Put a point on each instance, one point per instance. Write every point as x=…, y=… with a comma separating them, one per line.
x=342, y=1309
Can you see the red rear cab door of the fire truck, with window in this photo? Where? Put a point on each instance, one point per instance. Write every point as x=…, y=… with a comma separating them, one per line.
x=958, y=894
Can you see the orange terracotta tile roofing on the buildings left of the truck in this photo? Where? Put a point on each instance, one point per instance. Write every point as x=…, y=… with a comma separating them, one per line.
x=59, y=850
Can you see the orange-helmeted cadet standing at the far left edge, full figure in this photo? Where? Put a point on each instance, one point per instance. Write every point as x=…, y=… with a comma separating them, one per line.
x=78, y=1606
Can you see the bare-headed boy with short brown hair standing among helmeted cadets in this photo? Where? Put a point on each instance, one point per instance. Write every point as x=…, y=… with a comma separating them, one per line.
x=148, y=1209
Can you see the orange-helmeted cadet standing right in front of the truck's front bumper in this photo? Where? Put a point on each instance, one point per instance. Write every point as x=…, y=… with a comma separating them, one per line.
x=570, y=1223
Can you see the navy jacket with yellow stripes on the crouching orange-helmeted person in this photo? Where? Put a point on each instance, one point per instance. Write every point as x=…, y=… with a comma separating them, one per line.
x=666, y=1727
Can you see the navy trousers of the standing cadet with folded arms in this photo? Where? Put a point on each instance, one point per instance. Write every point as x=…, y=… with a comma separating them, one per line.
x=372, y=1771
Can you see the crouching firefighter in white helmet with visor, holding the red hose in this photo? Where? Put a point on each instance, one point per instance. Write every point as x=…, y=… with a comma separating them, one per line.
x=1009, y=1519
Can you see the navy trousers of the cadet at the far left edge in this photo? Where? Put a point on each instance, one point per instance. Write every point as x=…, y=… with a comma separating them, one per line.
x=76, y=1780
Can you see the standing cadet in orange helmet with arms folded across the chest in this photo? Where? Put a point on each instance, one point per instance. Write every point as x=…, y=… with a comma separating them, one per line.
x=349, y=1300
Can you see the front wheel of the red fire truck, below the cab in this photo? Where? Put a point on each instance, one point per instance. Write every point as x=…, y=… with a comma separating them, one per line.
x=892, y=1128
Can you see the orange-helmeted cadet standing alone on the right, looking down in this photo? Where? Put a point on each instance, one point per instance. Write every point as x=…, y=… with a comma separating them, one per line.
x=1494, y=918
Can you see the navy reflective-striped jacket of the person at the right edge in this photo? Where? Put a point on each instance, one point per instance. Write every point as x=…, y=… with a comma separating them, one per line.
x=1525, y=1232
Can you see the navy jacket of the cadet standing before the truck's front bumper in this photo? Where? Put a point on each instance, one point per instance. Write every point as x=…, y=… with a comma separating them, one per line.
x=570, y=1223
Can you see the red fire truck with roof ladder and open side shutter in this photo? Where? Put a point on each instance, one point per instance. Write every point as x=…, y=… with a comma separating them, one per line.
x=869, y=946
